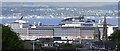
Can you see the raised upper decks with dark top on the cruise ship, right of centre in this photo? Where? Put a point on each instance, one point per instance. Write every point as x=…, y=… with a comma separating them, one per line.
x=77, y=21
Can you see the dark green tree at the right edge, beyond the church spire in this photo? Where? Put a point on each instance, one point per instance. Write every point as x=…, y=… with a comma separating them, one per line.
x=116, y=37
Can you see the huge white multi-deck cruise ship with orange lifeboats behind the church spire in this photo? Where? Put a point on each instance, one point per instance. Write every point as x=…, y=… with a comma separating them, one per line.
x=68, y=29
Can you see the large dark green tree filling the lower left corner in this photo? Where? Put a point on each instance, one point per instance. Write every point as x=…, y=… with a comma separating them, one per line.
x=10, y=40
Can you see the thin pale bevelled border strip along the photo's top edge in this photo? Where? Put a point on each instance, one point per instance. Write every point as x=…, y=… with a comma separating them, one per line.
x=59, y=0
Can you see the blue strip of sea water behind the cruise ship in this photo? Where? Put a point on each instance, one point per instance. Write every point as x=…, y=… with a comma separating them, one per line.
x=56, y=21
